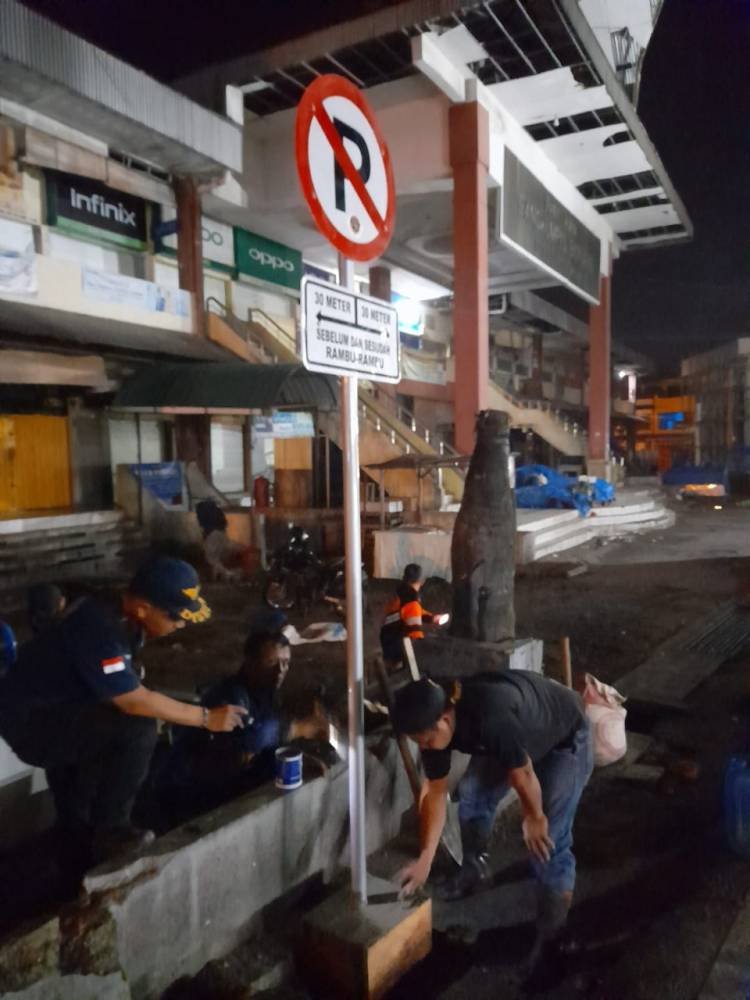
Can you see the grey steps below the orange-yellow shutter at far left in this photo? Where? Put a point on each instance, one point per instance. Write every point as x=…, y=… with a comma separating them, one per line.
x=60, y=547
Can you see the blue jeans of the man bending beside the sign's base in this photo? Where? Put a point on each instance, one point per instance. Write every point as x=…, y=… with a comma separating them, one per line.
x=562, y=775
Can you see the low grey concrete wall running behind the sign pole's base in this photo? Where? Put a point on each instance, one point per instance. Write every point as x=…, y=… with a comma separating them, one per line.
x=202, y=888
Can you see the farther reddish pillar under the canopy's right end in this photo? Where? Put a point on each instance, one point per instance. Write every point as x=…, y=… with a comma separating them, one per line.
x=600, y=373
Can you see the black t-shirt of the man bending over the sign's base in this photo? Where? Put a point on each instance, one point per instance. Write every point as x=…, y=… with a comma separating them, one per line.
x=512, y=716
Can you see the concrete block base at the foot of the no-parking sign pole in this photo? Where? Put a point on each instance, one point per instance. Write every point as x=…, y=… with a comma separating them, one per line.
x=351, y=950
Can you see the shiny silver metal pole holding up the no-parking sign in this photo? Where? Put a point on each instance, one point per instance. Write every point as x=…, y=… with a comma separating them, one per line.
x=354, y=643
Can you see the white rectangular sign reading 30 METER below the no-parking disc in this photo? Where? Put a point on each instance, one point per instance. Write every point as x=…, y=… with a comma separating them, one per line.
x=348, y=334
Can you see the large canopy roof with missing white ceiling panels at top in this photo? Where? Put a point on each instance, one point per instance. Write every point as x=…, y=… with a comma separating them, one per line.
x=539, y=58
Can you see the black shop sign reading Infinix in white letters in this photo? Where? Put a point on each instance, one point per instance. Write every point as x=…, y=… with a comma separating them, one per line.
x=86, y=208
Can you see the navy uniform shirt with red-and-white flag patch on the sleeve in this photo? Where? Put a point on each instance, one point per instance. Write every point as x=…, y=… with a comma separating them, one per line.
x=88, y=656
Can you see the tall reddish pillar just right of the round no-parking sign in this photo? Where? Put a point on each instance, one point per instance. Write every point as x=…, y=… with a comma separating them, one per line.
x=469, y=153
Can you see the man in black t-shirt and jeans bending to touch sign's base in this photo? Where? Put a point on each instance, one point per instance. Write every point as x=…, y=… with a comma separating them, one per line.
x=525, y=732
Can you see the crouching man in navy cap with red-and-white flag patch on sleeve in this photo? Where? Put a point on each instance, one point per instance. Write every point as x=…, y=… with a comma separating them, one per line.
x=74, y=704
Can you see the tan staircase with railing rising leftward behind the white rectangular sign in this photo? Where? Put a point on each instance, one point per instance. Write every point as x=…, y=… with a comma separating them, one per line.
x=386, y=429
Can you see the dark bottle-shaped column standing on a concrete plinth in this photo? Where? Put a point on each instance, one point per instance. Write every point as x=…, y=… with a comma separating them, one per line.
x=483, y=547
